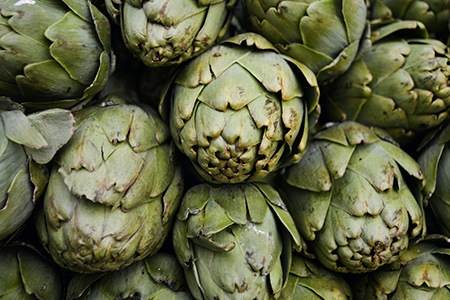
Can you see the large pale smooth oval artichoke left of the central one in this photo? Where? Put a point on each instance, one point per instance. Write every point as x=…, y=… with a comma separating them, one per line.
x=113, y=190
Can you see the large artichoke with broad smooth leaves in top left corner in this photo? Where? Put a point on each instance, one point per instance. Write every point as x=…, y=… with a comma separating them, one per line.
x=53, y=53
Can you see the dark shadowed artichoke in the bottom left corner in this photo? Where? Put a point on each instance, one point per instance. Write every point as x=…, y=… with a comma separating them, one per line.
x=27, y=275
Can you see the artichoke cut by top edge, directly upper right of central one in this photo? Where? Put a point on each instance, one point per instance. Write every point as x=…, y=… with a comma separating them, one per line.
x=322, y=34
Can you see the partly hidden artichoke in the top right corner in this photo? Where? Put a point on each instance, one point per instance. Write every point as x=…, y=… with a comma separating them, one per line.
x=434, y=14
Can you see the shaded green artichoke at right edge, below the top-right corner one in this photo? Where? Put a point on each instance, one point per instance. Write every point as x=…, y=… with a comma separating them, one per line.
x=401, y=85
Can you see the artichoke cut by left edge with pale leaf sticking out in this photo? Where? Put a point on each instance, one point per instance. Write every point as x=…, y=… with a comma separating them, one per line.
x=27, y=143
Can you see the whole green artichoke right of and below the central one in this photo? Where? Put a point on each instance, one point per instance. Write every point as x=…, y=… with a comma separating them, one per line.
x=354, y=197
